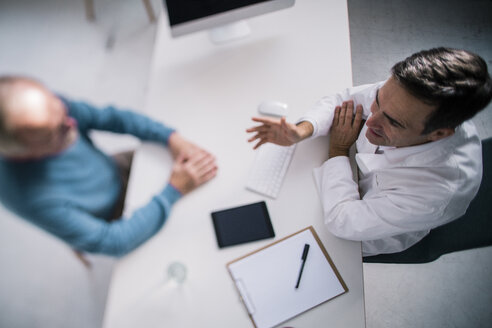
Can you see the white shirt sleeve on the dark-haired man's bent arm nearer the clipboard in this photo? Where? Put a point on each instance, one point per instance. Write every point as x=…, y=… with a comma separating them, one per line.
x=382, y=213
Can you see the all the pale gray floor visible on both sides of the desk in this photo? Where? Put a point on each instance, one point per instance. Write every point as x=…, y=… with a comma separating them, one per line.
x=43, y=285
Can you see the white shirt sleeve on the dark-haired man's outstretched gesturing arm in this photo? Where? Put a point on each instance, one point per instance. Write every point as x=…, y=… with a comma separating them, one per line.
x=321, y=115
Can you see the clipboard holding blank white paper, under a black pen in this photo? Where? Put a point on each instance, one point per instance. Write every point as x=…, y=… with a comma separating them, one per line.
x=266, y=279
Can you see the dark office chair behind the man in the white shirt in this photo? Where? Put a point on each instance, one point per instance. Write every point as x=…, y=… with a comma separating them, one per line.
x=472, y=230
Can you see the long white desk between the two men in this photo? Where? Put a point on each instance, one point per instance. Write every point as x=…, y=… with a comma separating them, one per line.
x=209, y=94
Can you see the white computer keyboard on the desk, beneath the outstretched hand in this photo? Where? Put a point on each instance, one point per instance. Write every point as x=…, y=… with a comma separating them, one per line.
x=269, y=168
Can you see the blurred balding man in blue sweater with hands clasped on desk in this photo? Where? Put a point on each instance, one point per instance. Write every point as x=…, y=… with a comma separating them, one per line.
x=53, y=176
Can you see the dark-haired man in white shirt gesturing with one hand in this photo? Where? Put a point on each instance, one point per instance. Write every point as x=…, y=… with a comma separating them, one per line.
x=418, y=155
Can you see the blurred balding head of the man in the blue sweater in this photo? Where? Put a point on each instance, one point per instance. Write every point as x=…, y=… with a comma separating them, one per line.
x=33, y=121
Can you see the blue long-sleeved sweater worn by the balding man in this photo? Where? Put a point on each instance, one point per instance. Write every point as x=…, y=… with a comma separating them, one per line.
x=73, y=193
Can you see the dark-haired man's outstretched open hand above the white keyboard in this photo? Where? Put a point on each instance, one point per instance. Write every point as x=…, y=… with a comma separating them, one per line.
x=279, y=131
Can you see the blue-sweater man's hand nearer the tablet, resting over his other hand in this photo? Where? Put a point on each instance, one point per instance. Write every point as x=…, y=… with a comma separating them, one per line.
x=191, y=171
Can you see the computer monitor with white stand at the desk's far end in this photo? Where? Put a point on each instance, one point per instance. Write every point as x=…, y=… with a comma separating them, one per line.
x=223, y=18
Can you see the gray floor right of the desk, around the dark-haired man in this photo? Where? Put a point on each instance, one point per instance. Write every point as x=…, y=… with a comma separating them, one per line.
x=455, y=290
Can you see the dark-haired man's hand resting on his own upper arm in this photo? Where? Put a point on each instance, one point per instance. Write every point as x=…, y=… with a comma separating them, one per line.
x=345, y=128
